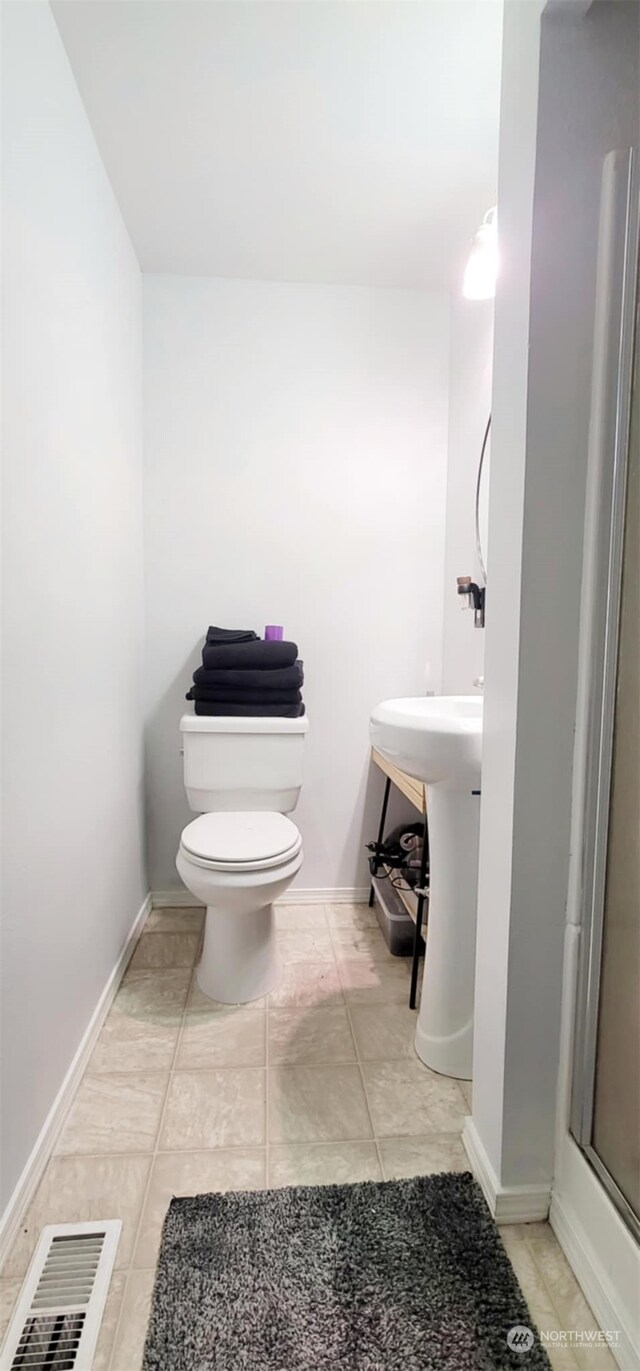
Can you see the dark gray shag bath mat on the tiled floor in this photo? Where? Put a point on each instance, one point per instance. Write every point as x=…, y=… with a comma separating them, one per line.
x=401, y=1276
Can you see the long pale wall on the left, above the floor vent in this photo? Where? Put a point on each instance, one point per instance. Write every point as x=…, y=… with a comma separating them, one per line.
x=73, y=873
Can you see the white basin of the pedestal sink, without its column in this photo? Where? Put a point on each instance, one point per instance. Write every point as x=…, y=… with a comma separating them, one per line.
x=435, y=738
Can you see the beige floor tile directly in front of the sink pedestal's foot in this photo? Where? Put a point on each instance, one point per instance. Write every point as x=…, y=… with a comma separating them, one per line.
x=406, y=1099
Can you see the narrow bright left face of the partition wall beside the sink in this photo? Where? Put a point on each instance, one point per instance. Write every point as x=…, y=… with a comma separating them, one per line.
x=516, y=180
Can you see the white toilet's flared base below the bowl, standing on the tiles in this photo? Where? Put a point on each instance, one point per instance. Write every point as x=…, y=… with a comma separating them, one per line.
x=241, y=959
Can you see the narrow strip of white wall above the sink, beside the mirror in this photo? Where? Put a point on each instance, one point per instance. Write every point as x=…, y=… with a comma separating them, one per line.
x=471, y=372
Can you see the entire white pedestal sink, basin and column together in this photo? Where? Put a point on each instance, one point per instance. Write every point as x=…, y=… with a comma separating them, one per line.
x=439, y=740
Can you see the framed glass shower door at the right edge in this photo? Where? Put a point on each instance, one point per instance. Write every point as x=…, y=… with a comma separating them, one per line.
x=606, y=1077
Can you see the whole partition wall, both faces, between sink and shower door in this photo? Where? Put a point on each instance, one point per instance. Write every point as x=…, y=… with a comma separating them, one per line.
x=553, y=142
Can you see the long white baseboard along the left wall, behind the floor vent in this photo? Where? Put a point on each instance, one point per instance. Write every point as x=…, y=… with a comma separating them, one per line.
x=51, y=1129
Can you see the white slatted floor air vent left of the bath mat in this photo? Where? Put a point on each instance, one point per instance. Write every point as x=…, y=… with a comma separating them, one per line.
x=58, y=1317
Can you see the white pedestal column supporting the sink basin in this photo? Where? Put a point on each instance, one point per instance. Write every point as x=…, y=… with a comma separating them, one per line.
x=445, y=1033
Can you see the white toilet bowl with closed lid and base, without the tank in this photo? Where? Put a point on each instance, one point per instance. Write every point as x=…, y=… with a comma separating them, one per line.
x=239, y=863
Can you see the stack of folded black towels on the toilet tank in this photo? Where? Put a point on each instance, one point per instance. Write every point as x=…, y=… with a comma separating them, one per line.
x=245, y=675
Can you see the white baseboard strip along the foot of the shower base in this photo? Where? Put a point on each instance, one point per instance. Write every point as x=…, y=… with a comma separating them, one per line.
x=594, y=1278
